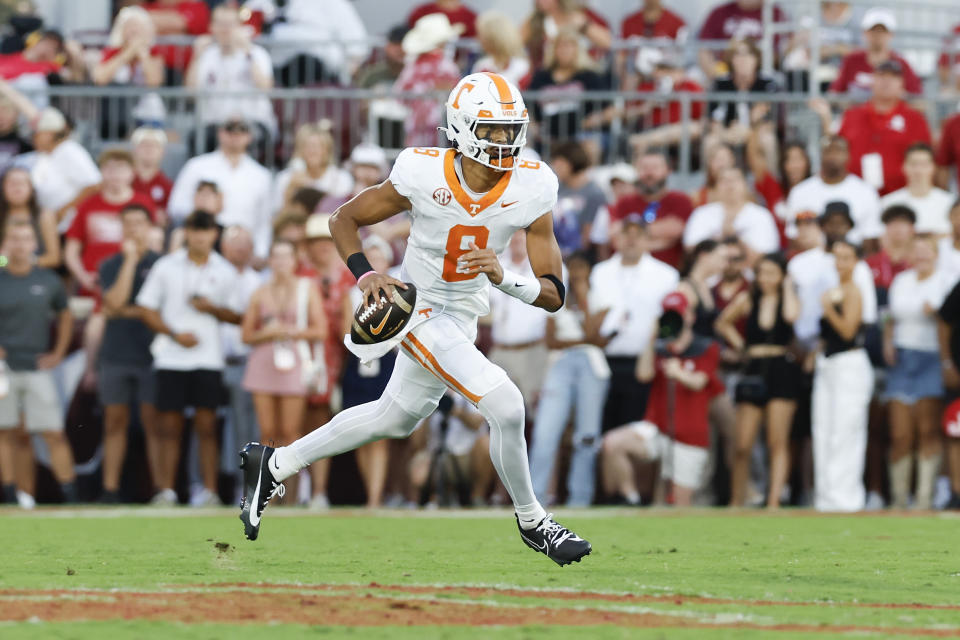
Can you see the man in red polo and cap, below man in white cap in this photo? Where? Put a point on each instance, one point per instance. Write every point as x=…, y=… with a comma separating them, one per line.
x=881, y=131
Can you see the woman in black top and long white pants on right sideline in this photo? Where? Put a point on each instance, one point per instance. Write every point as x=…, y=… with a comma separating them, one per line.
x=842, y=388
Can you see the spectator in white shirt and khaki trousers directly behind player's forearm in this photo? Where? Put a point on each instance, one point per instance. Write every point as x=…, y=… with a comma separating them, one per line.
x=518, y=329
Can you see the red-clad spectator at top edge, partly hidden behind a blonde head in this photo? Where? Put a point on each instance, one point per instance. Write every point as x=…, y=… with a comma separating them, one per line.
x=550, y=17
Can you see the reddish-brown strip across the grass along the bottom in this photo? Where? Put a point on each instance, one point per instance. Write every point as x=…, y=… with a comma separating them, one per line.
x=356, y=606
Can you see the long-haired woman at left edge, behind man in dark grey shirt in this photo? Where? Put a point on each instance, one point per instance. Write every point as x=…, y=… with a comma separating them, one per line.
x=18, y=200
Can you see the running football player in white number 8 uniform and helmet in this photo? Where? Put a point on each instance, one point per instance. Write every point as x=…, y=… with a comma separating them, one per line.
x=465, y=202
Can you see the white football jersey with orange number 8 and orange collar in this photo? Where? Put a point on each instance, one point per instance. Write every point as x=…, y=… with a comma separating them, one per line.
x=447, y=218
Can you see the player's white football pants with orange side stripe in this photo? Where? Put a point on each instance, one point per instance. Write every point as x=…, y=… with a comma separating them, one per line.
x=440, y=355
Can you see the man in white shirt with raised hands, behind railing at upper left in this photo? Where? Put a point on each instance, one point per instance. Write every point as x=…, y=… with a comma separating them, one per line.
x=227, y=62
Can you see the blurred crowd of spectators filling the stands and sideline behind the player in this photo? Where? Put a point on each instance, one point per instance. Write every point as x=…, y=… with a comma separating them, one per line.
x=157, y=315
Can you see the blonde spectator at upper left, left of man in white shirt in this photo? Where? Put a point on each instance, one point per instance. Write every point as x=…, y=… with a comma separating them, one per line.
x=131, y=57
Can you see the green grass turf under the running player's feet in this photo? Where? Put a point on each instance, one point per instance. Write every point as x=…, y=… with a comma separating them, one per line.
x=830, y=562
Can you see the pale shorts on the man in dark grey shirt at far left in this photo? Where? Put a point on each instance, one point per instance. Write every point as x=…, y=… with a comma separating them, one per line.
x=33, y=395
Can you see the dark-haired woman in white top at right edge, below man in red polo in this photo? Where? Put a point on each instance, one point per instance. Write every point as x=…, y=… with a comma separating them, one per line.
x=931, y=204
